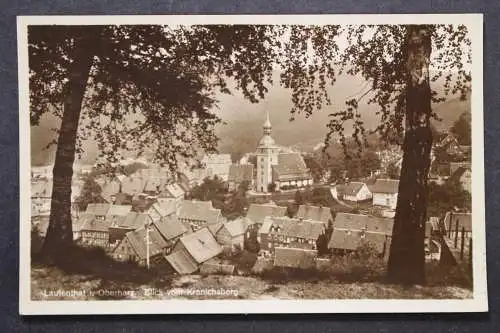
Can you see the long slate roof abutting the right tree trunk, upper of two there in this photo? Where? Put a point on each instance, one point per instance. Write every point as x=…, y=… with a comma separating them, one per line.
x=360, y=222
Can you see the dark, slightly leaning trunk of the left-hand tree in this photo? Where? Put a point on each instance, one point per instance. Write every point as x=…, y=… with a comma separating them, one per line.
x=59, y=233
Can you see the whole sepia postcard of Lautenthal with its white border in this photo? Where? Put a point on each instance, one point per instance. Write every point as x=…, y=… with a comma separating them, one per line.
x=251, y=164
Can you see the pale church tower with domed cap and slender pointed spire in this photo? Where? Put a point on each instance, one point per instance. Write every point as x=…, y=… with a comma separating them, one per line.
x=267, y=156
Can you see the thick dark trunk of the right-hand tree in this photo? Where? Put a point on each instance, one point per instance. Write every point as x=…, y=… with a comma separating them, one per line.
x=407, y=256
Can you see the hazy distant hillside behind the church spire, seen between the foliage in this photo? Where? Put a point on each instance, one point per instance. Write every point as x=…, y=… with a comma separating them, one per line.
x=243, y=122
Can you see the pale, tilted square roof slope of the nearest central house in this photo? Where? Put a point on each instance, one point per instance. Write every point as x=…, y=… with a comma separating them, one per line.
x=201, y=245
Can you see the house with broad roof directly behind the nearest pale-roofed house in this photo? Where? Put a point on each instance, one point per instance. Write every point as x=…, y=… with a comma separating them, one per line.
x=198, y=214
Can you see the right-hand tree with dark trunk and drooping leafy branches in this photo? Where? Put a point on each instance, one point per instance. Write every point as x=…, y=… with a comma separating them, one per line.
x=395, y=61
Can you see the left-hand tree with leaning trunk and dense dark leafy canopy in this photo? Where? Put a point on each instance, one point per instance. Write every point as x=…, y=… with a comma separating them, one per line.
x=136, y=87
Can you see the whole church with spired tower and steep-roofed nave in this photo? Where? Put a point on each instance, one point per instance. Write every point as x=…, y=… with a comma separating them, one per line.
x=284, y=169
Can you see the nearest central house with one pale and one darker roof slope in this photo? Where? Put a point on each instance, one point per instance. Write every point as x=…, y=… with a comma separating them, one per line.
x=192, y=250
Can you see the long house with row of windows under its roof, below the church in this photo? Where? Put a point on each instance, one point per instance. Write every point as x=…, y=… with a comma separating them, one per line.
x=290, y=232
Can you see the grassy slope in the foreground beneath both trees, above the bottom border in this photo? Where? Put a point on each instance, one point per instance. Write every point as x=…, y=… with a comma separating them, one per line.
x=44, y=278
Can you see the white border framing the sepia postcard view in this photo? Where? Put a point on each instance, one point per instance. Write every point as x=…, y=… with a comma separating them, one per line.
x=479, y=303
